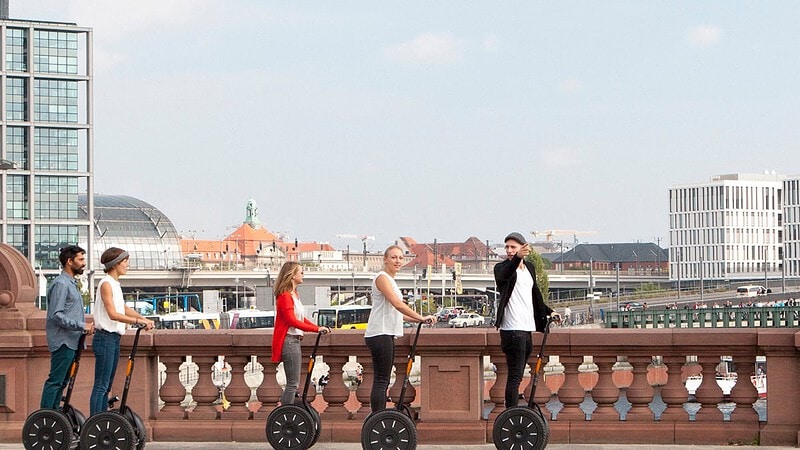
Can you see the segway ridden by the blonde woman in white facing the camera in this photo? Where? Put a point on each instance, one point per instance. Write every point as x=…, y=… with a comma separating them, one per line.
x=393, y=428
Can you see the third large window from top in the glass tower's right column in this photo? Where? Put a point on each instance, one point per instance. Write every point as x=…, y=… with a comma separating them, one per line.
x=56, y=149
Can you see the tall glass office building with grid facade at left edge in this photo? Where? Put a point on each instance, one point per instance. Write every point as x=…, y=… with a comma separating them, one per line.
x=45, y=138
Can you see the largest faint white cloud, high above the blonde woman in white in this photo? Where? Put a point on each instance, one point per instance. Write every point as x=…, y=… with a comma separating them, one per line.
x=440, y=48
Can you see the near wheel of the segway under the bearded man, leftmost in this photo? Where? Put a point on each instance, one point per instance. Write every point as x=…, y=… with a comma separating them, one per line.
x=47, y=429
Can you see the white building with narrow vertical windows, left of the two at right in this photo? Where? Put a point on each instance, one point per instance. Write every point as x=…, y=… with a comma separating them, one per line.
x=729, y=228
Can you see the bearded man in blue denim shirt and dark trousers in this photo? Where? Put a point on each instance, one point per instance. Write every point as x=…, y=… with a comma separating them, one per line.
x=65, y=323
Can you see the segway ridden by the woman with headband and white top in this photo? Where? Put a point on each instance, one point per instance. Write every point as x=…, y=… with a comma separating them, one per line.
x=118, y=429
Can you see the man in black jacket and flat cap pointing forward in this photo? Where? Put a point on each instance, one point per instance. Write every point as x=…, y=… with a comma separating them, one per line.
x=520, y=311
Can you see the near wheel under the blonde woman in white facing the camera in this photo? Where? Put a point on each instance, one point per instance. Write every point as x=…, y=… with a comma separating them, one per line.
x=389, y=429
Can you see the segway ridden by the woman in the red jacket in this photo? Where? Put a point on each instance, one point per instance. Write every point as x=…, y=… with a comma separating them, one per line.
x=296, y=426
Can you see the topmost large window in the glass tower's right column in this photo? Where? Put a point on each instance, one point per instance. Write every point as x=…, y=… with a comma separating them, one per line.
x=55, y=52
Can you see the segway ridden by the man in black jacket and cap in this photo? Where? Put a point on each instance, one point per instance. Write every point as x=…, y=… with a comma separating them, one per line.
x=524, y=427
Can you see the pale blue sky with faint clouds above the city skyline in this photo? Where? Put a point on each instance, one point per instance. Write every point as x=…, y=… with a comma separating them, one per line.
x=434, y=120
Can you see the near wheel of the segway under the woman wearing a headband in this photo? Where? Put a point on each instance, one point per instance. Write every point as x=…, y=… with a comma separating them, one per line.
x=108, y=430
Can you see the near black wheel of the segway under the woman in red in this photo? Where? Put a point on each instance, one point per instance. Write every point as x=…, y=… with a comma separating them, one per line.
x=290, y=427
